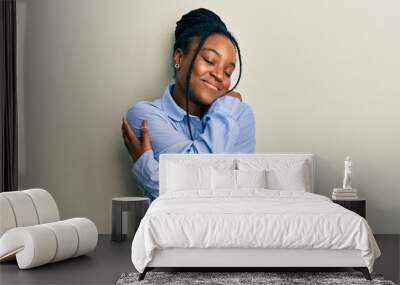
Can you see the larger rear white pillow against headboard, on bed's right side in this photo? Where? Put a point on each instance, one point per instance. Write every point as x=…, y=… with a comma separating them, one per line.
x=281, y=174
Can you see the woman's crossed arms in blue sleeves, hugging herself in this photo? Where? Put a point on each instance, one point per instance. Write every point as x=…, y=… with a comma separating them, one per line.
x=229, y=127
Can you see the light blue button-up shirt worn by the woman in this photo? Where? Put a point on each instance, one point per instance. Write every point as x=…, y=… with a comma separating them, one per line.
x=228, y=126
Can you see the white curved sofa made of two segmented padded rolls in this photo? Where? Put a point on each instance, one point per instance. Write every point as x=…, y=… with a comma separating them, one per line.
x=31, y=231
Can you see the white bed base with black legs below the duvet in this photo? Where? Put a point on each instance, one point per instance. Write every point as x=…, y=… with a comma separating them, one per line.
x=251, y=259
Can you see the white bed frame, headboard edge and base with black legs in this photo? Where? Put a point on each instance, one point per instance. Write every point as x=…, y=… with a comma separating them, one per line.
x=242, y=259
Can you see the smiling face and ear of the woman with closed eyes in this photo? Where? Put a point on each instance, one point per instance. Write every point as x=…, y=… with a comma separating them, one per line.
x=212, y=69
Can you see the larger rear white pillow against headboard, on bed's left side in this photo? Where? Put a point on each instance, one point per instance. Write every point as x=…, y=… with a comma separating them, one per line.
x=181, y=177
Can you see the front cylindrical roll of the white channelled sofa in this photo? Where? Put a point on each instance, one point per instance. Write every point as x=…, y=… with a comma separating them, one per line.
x=40, y=244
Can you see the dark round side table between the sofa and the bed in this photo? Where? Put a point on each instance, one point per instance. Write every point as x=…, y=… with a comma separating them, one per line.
x=137, y=206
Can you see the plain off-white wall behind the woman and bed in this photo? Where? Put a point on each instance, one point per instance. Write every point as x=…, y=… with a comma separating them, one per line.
x=321, y=76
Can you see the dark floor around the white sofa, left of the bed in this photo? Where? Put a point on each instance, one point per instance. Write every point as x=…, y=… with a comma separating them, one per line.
x=102, y=266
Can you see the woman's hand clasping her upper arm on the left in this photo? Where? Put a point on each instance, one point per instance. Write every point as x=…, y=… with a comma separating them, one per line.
x=135, y=146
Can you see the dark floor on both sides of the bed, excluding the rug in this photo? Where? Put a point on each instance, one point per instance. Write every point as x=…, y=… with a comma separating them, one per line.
x=111, y=259
